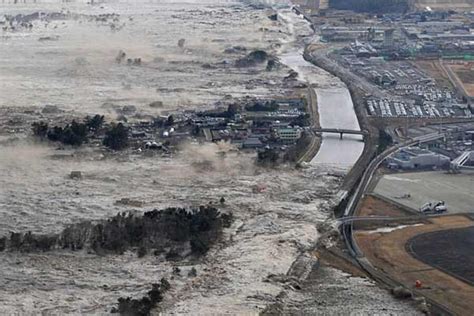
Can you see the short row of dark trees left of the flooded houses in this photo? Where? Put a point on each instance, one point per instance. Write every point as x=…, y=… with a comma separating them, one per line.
x=78, y=133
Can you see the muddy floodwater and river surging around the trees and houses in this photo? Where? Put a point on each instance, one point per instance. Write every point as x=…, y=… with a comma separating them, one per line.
x=64, y=65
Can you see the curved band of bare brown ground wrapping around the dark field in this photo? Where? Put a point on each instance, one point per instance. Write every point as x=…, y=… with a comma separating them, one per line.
x=387, y=252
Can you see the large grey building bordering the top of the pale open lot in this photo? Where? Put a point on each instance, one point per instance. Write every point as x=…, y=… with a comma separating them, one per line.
x=416, y=158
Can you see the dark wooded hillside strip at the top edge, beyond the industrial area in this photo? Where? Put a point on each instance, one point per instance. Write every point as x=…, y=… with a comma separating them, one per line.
x=373, y=6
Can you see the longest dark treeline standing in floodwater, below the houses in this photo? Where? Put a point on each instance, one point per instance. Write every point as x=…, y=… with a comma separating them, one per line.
x=174, y=232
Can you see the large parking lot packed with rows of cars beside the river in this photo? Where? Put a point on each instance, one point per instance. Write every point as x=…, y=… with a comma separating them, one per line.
x=410, y=91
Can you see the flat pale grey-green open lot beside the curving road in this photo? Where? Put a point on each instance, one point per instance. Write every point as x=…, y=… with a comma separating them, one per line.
x=455, y=189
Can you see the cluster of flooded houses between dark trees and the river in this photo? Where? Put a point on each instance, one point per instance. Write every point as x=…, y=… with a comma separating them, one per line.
x=275, y=124
